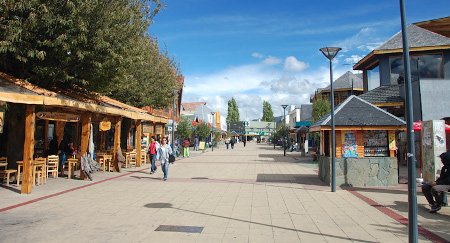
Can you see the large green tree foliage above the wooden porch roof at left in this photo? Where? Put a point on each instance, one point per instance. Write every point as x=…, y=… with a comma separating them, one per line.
x=100, y=46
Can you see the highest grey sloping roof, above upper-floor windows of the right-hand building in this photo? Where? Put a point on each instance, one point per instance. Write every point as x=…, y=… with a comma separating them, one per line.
x=417, y=37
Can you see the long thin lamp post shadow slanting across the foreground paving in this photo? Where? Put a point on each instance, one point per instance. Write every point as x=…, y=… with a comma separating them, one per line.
x=168, y=205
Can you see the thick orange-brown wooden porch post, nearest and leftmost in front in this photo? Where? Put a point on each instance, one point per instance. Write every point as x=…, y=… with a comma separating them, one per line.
x=28, y=149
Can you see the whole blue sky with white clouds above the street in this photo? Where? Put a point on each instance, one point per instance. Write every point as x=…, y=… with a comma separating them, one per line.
x=269, y=50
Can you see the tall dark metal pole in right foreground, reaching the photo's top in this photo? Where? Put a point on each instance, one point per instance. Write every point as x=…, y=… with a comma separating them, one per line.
x=412, y=195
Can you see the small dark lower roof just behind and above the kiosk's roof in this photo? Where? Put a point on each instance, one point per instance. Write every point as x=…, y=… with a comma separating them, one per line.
x=383, y=94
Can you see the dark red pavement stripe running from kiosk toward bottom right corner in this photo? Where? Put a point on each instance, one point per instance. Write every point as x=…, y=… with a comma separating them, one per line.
x=397, y=217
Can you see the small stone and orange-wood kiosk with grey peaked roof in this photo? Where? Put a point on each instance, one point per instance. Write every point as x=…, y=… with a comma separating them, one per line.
x=365, y=144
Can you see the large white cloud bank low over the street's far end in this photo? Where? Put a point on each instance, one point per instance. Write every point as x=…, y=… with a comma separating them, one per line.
x=251, y=84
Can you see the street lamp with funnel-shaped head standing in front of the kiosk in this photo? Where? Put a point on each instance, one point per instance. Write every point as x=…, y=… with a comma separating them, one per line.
x=330, y=53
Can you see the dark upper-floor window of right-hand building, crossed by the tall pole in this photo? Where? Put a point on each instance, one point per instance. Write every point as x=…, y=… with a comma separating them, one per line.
x=427, y=66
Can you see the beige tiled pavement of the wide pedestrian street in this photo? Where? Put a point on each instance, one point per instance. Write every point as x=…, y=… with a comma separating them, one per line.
x=250, y=194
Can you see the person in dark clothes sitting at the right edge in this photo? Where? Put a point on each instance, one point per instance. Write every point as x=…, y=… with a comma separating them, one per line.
x=442, y=184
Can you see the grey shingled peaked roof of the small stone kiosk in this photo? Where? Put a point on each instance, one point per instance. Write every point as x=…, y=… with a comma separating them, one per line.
x=355, y=111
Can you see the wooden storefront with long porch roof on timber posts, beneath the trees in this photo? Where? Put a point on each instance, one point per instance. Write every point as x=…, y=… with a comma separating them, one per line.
x=34, y=119
